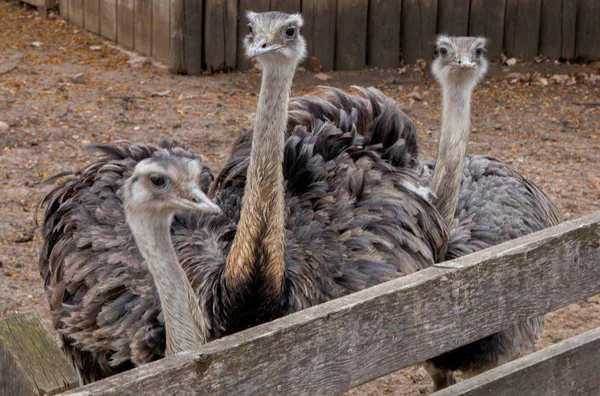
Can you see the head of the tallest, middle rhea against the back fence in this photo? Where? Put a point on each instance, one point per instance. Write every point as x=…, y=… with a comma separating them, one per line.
x=275, y=37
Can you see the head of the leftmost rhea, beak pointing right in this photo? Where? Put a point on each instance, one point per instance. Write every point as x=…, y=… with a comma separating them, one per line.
x=166, y=184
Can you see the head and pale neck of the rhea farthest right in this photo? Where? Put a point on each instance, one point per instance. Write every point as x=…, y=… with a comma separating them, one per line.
x=458, y=66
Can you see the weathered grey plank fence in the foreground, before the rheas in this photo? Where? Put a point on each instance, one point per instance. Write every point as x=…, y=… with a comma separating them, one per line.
x=333, y=347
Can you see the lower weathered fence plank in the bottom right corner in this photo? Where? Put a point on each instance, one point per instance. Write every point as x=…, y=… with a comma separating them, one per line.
x=570, y=367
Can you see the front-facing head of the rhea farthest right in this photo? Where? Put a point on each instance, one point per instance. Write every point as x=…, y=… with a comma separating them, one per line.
x=459, y=61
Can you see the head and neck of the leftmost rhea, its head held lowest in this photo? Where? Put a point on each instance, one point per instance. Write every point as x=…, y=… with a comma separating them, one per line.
x=160, y=187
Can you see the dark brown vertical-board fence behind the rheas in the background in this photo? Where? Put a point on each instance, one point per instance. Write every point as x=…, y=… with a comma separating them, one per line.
x=195, y=36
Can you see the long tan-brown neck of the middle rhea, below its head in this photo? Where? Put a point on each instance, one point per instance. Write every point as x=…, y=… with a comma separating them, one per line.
x=259, y=244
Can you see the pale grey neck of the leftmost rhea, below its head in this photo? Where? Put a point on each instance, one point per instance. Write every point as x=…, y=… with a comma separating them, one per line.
x=184, y=324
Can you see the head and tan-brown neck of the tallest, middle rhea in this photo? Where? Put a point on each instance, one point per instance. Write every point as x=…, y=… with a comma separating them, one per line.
x=274, y=41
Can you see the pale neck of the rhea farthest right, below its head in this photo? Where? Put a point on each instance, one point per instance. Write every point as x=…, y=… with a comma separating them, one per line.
x=452, y=147
